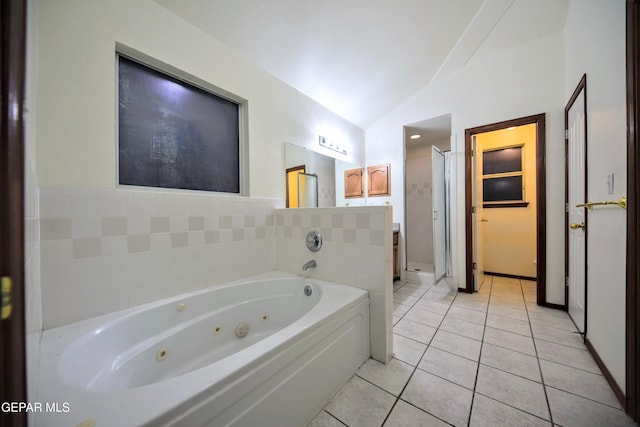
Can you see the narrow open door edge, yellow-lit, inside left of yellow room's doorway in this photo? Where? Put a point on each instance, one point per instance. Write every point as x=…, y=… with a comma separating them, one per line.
x=476, y=220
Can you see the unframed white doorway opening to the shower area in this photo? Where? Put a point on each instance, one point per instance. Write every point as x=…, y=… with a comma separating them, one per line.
x=427, y=246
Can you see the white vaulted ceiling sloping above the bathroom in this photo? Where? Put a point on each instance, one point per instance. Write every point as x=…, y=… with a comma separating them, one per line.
x=362, y=58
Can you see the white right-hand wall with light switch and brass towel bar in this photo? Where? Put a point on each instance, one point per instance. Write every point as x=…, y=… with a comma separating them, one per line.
x=595, y=45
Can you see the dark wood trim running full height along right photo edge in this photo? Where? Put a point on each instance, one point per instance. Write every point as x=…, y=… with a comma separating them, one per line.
x=632, y=380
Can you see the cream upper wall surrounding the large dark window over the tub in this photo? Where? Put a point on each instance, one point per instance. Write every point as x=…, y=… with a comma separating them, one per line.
x=77, y=81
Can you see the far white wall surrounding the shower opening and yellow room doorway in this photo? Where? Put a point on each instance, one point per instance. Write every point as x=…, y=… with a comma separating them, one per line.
x=515, y=83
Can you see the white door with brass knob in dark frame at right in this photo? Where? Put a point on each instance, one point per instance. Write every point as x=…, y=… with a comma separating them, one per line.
x=577, y=216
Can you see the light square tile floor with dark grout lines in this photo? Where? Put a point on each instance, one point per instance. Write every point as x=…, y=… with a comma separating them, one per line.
x=492, y=358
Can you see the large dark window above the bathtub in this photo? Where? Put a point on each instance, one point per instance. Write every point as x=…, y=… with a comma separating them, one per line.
x=174, y=134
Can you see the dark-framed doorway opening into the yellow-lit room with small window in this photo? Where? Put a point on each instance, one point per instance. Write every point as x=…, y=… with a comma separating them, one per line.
x=505, y=180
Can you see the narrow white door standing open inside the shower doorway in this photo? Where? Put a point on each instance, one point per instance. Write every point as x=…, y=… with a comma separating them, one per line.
x=439, y=214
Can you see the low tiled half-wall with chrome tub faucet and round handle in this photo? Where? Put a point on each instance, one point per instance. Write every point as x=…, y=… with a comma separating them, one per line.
x=357, y=250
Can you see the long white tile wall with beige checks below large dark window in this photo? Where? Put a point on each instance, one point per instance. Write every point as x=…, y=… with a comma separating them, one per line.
x=104, y=250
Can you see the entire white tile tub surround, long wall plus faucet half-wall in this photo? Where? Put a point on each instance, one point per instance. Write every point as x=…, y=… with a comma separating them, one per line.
x=104, y=250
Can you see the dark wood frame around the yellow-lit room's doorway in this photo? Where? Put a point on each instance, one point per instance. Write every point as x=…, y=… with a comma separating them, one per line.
x=541, y=201
